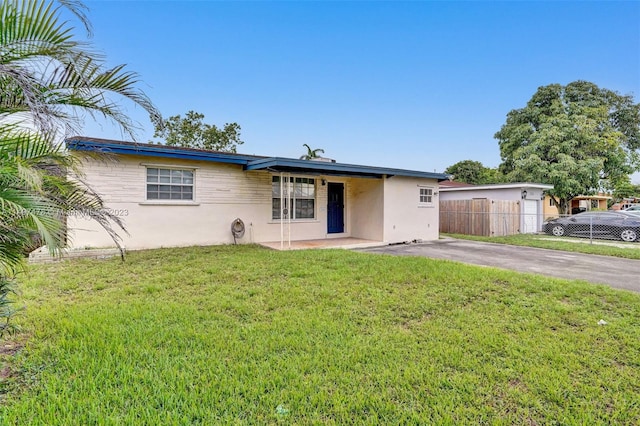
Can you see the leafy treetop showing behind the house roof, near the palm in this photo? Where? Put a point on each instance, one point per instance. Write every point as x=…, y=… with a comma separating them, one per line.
x=192, y=132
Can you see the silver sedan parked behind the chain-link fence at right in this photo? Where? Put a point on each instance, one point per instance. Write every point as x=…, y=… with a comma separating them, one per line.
x=620, y=225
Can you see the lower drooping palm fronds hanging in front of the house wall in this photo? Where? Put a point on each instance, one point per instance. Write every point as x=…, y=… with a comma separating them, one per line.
x=39, y=185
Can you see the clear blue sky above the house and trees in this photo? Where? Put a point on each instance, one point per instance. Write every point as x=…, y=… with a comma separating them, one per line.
x=416, y=85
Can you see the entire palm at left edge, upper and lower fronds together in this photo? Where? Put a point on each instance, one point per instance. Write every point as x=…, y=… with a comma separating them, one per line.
x=47, y=78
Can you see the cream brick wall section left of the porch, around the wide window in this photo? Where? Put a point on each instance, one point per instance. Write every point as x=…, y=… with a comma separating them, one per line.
x=222, y=193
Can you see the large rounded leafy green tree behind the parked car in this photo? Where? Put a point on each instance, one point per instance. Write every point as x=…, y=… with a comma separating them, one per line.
x=579, y=138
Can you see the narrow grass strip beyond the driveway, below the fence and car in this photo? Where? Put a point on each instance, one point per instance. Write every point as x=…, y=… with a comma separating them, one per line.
x=573, y=244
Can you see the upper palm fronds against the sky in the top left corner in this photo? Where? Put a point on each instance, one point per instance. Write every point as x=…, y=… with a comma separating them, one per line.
x=48, y=76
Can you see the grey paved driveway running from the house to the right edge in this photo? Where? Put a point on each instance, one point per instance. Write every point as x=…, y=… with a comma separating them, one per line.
x=613, y=271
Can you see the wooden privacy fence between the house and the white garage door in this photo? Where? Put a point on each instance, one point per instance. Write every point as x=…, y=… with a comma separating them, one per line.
x=484, y=217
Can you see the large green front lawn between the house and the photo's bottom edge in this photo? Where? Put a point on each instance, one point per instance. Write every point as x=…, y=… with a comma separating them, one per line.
x=245, y=335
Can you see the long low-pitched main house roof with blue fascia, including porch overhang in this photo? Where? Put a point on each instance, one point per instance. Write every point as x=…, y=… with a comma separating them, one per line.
x=249, y=162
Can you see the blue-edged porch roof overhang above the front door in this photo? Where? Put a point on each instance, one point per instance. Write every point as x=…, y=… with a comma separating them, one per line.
x=323, y=167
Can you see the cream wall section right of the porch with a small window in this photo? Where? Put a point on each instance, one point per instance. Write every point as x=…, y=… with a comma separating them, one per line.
x=404, y=218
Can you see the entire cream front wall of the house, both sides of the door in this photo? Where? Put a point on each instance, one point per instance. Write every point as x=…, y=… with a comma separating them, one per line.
x=224, y=192
